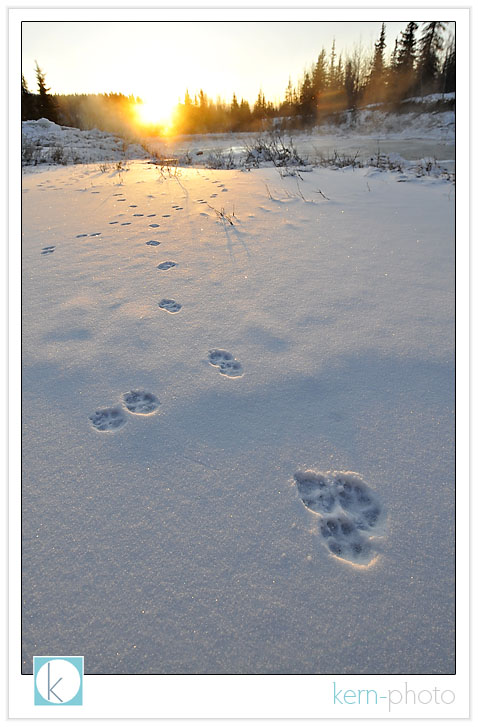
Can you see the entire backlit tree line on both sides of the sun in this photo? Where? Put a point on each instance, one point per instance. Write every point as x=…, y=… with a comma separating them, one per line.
x=422, y=62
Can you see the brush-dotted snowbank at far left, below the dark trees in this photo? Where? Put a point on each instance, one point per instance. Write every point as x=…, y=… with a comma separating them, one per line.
x=46, y=142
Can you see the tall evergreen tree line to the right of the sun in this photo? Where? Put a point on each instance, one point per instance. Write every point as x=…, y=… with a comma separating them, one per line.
x=417, y=66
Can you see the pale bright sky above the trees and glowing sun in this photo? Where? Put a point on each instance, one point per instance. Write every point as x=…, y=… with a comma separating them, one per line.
x=162, y=59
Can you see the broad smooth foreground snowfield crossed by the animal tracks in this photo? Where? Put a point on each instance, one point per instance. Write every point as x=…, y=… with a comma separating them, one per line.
x=174, y=457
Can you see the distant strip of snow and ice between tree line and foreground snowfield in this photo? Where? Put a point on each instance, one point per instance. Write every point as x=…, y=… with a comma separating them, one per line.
x=409, y=137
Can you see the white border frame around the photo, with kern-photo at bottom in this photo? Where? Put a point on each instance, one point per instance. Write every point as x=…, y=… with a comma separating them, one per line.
x=244, y=696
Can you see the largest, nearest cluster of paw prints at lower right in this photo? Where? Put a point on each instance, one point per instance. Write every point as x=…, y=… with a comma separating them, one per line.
x=349, y=512
